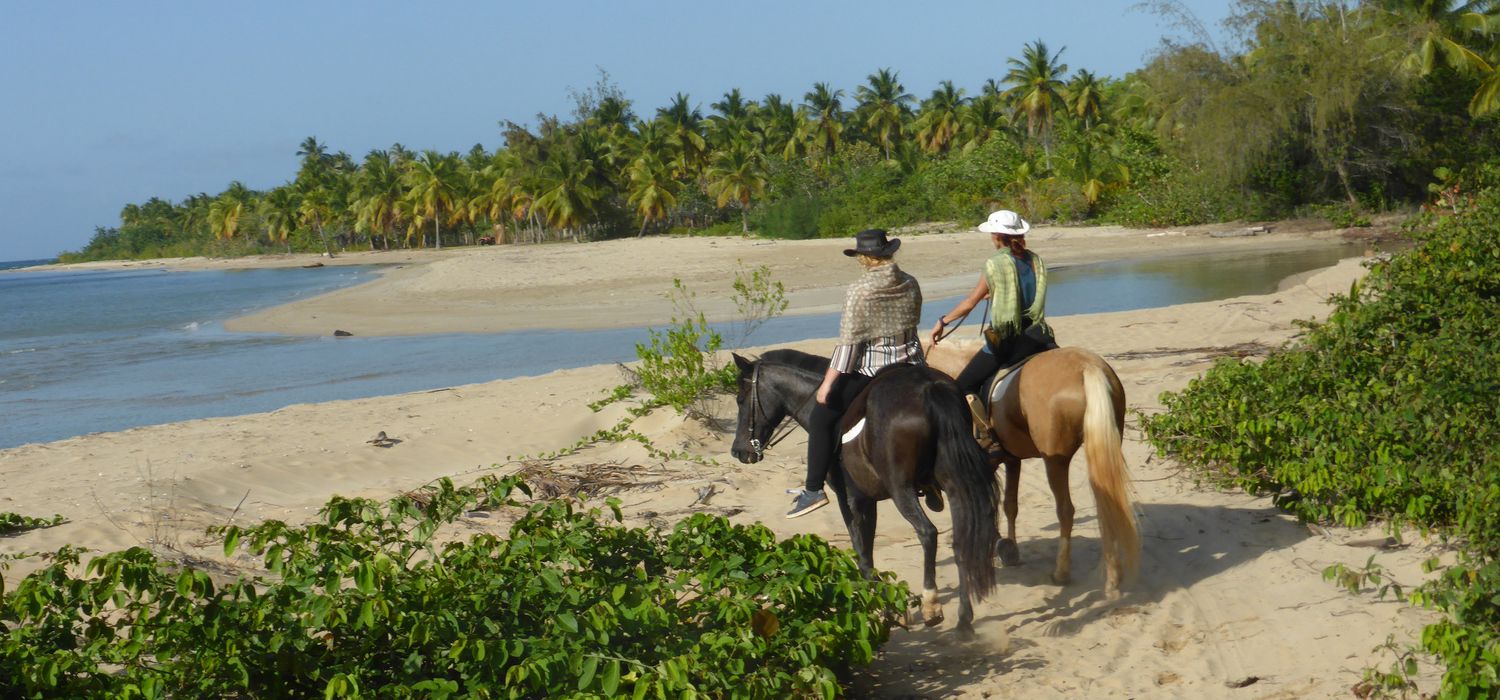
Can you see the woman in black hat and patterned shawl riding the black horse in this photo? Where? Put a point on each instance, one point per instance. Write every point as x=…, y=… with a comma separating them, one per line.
x=878, y=329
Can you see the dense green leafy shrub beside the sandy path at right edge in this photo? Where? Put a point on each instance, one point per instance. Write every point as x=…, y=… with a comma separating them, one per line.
x=1385, y=411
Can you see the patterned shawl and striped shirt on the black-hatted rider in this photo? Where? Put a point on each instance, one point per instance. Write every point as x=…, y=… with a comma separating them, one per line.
x=880, y=323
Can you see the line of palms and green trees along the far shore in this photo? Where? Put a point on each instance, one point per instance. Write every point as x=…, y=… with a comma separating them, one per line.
x=1319, y=107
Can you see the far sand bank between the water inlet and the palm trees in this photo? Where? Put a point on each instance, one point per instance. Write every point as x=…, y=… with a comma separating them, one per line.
x=622, y=284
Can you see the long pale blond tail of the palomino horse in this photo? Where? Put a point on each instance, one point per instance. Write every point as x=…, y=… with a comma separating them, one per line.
x=1108, y=474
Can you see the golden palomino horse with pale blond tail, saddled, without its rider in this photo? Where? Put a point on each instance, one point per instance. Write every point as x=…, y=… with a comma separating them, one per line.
x=1063, y=399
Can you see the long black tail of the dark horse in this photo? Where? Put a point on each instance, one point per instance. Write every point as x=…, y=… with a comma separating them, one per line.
x=970, y=482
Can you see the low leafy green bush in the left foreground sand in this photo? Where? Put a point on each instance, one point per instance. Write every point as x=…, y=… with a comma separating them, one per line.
x=367, y=602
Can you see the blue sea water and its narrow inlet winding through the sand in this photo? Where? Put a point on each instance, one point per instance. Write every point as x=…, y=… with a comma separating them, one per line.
x=98, y=351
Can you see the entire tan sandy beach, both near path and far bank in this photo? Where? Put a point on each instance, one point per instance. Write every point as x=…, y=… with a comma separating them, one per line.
x=1229, y=602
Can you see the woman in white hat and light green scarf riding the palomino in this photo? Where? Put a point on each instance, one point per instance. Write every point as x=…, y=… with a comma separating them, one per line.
x=1016, y=283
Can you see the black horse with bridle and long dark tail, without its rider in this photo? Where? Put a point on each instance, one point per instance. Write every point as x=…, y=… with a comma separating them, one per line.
x=916, y=438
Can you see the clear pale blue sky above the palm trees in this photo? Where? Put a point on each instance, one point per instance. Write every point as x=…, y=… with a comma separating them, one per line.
x=107, y=104
